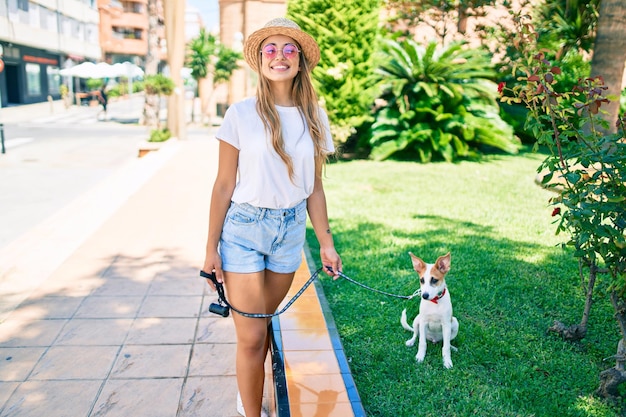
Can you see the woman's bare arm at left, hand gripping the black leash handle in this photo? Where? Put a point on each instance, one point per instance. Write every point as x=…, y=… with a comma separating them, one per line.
x=220, y=202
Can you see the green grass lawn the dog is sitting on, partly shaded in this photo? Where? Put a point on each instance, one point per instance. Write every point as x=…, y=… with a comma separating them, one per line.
x=509, y=281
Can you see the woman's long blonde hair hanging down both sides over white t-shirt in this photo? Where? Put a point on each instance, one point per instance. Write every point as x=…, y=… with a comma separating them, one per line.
x=305, y=99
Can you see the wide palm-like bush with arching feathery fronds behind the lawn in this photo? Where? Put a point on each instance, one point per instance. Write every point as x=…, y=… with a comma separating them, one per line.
x=437, y=103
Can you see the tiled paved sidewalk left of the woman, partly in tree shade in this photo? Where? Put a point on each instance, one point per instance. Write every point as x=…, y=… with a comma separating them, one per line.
x=103, y=310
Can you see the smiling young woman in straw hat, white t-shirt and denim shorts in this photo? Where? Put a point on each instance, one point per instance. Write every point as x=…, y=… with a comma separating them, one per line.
x=271, y=155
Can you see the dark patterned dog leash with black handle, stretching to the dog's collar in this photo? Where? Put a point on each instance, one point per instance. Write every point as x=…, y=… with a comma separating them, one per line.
x=222, y=306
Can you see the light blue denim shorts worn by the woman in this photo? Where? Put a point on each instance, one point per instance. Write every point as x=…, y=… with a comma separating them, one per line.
x=254, y=239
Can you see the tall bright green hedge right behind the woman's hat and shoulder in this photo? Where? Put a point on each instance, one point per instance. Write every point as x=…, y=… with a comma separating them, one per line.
x=346, y=33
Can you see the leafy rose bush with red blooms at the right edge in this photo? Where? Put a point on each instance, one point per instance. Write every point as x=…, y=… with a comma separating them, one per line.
x=586, y=166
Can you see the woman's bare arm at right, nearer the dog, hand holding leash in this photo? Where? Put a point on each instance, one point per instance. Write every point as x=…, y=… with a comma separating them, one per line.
x=318, y=213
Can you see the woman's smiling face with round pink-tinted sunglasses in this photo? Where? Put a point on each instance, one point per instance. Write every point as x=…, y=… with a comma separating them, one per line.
x=280, y=58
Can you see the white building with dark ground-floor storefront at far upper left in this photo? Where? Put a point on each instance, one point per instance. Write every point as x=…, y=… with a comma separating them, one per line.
x=37, y=39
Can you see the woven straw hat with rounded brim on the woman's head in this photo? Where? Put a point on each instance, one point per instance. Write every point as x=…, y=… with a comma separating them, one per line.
x=281, y=26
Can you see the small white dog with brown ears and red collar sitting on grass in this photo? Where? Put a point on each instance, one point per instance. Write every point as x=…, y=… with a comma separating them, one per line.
x=434, y=321
